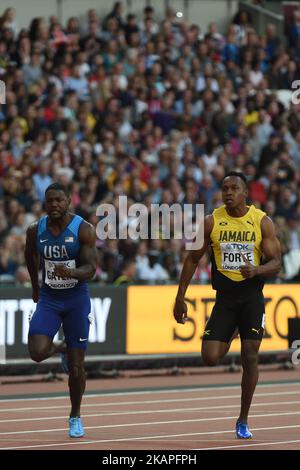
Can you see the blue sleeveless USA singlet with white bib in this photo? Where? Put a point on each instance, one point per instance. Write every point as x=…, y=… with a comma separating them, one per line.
x=61, y=249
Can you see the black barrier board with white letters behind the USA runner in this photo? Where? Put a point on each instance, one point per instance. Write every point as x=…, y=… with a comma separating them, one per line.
x=107, y=331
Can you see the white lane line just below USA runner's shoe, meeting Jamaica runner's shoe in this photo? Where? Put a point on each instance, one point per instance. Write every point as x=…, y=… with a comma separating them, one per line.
x=160, y=437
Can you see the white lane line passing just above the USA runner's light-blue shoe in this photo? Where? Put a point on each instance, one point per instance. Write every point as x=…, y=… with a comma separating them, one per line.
x=142, y=412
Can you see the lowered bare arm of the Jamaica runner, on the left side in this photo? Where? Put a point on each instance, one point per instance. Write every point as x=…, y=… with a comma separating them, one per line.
x=189, y=267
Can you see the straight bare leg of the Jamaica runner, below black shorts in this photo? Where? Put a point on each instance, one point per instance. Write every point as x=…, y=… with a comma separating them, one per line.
x=249, y=355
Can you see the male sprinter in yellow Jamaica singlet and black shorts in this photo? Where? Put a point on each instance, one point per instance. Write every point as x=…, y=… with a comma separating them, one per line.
x=239, y=236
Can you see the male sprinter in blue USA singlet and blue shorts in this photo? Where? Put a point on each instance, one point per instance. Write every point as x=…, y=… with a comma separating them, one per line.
x=66, y=245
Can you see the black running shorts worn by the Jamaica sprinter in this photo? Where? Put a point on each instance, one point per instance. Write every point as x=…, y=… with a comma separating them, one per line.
x=248, y=315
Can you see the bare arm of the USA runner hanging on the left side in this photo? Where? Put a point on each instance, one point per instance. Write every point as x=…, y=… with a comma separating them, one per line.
x=32, y=259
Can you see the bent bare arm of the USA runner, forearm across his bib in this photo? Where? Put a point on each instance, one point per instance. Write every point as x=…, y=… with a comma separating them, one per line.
x=88, y=256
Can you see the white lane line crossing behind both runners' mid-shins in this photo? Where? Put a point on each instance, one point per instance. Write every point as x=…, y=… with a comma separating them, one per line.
x=150, y=392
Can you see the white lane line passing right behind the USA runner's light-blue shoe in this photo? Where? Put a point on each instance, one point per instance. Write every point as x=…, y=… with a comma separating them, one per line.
x=154, y=423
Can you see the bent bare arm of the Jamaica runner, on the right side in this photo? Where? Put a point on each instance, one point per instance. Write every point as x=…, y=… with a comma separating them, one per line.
x=271, y=249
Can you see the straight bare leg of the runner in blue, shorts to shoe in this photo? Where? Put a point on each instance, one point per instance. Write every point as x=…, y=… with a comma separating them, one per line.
x=77, y=378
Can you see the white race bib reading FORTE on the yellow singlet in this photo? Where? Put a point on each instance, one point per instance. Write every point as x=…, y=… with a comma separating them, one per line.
x=232, y=258
